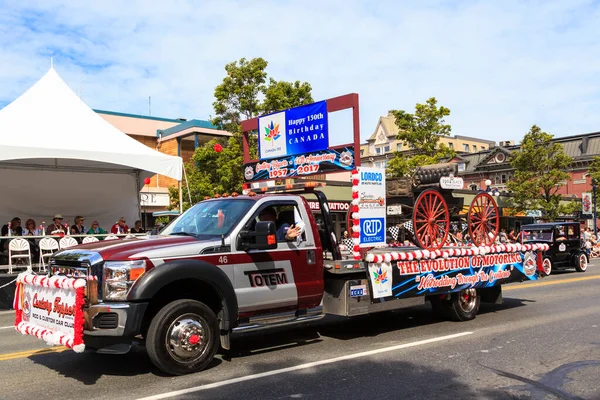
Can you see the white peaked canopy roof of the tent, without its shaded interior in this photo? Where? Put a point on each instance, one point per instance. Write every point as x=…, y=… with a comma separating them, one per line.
x=51, y=122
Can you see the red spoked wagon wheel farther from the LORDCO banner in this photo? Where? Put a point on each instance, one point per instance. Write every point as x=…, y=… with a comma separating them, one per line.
x=483, y=220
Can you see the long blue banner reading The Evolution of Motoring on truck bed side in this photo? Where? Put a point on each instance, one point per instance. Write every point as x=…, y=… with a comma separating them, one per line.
x=445, y=275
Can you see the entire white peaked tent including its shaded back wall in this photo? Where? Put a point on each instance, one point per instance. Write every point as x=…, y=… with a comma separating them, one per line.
x=58, y=156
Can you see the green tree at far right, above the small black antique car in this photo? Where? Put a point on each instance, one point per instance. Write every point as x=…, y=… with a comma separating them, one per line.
x=540, y=169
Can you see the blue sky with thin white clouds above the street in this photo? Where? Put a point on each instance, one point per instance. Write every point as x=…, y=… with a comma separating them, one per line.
x=500, y=66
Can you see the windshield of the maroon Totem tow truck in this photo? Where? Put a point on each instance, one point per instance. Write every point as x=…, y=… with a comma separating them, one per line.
x=209, y=218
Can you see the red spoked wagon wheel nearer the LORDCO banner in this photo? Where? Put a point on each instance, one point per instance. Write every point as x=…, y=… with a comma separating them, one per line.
x=431, y=220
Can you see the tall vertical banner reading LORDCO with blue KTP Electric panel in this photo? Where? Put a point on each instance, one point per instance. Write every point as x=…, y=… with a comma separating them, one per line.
x=371, y=206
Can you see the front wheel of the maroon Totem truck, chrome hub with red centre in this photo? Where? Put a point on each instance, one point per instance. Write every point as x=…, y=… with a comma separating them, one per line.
x=183, y=337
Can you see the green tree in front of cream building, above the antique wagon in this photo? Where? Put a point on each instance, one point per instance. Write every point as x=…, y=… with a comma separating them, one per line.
x=421, y=131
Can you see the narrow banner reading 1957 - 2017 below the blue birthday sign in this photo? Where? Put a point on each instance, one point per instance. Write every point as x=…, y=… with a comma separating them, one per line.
x=318, y=162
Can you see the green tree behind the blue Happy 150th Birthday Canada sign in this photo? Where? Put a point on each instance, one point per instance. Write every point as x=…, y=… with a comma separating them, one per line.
x=243, y=94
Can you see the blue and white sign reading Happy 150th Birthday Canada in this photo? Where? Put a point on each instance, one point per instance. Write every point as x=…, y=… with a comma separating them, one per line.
x=298, y=130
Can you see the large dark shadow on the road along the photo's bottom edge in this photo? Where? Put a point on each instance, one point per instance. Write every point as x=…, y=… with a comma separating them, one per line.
x=366, y=378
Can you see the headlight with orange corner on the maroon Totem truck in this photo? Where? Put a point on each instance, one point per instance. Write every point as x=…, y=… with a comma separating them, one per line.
x=119, y=276
